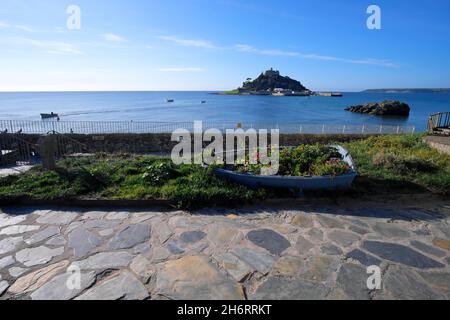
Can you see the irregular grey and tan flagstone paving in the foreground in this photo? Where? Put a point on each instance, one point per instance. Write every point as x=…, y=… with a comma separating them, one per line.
x=260, y=253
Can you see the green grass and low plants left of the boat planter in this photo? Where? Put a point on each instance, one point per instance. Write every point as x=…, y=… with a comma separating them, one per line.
x=126, y=177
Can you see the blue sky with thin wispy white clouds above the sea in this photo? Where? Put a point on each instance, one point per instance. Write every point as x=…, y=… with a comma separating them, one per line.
x=217, y=44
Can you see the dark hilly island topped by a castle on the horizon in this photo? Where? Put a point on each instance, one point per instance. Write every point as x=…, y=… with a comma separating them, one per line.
x=272, y=83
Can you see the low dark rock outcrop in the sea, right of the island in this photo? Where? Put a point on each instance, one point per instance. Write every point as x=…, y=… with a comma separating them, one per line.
x=385, y=108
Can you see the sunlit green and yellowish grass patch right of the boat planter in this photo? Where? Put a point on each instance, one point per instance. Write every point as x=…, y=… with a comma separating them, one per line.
x=399, y=163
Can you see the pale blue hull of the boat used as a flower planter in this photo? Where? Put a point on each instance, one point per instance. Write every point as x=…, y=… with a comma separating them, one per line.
x=343, y=181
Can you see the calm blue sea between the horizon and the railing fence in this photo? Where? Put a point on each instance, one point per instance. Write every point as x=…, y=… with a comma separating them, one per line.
x=152, y=106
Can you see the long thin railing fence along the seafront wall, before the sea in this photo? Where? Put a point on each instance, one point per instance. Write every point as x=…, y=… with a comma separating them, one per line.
x=97, y=127
